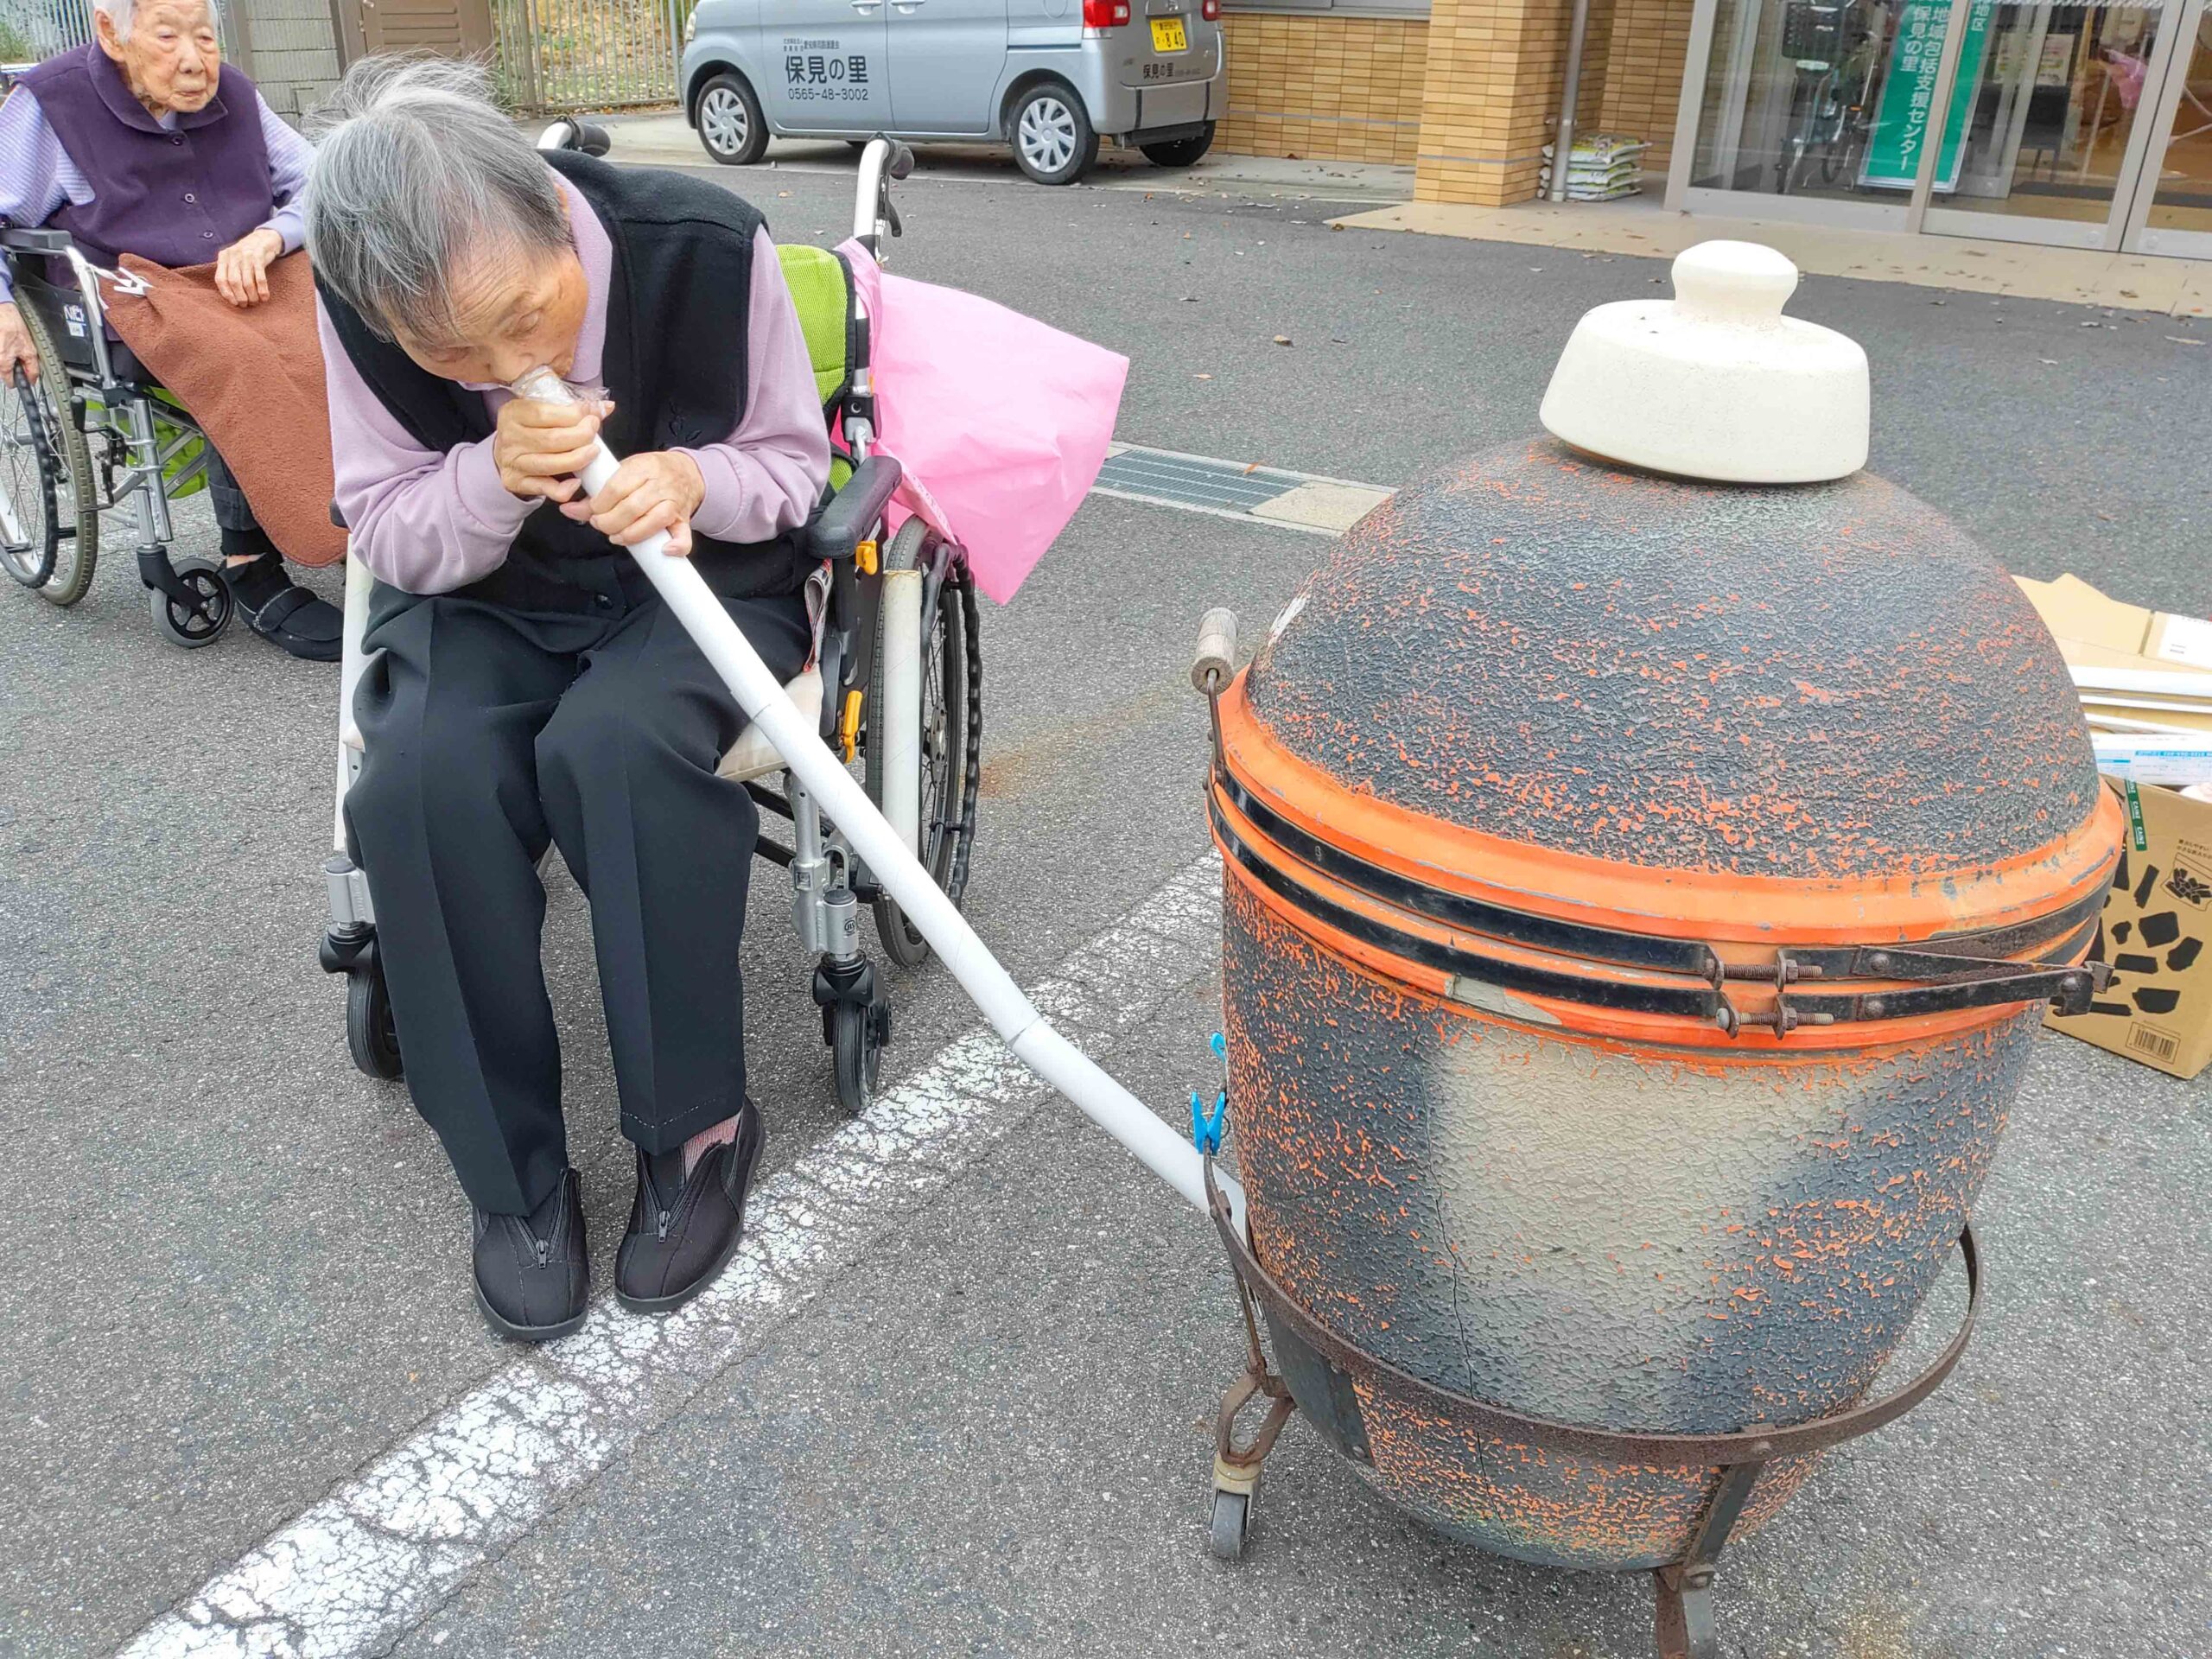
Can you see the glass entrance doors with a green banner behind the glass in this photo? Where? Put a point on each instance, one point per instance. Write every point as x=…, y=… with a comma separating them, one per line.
x=2072, y=123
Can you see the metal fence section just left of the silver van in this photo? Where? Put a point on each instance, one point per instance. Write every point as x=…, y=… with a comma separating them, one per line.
x=587, y=54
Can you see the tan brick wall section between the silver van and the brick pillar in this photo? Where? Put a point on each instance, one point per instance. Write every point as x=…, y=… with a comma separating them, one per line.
x=1337, y=90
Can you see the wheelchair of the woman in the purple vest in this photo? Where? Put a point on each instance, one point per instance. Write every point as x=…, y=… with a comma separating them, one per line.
x=92, y=437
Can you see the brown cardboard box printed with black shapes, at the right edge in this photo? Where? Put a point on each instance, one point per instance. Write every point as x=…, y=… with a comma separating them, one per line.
x=2158, y=937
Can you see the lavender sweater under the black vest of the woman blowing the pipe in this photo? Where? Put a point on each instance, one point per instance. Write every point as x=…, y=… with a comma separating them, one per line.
x=432, y=523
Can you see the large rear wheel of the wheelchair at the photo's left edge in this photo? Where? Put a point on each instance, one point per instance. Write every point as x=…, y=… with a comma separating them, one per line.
x=43, y=432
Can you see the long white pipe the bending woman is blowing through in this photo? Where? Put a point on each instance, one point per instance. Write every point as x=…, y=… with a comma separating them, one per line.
x=886, y=855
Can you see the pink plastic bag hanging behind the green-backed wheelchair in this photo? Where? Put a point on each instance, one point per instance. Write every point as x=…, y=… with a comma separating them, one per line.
x=999, y=421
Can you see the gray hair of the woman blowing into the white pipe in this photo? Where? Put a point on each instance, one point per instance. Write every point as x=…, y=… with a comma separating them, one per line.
x=415, y=171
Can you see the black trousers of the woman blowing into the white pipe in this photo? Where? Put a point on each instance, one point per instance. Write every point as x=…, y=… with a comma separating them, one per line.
x=492, y=731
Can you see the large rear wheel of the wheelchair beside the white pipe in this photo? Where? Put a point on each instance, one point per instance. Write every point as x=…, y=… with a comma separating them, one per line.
x=950, y=762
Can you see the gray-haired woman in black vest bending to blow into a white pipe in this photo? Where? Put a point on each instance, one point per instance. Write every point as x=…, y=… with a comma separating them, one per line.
x=530, y=685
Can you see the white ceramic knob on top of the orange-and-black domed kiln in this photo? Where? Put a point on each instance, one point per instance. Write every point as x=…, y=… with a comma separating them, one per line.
x=1715, y=384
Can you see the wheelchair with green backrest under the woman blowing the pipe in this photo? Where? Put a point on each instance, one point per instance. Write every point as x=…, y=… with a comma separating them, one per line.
x=846, y=687
